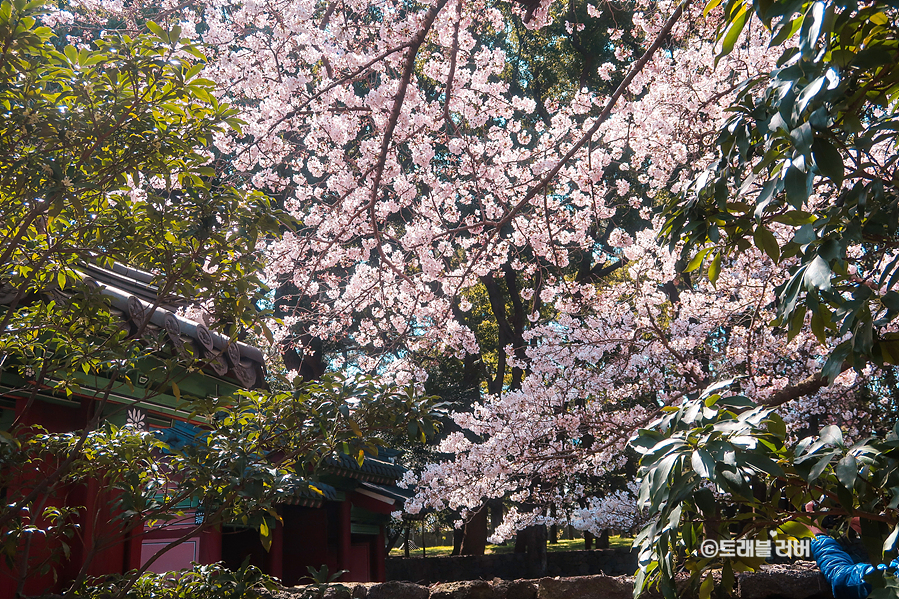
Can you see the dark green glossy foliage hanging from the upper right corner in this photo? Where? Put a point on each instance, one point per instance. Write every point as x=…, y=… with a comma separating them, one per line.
x=806, y=172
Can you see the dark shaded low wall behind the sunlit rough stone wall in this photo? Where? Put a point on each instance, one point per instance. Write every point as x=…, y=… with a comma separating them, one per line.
x=510, y=566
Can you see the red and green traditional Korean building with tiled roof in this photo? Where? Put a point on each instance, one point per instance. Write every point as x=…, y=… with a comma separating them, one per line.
x=343, y=527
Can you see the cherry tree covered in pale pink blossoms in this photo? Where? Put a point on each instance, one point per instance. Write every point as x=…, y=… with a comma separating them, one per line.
x=475, y=214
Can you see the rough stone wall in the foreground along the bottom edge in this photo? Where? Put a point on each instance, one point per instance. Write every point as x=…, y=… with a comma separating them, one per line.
x=799, y=581
